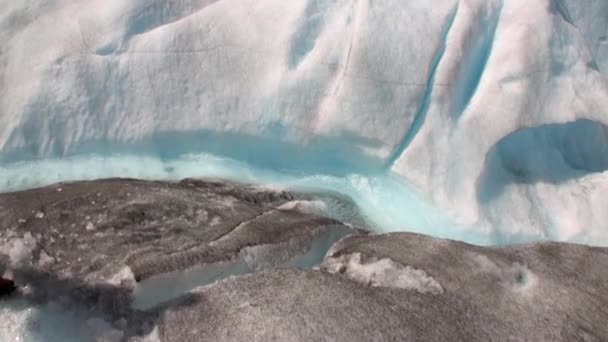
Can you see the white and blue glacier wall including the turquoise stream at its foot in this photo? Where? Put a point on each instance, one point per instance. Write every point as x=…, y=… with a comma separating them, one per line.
x=479, y=120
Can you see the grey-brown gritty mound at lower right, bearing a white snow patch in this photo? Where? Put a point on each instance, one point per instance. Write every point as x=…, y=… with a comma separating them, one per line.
x=380, y=288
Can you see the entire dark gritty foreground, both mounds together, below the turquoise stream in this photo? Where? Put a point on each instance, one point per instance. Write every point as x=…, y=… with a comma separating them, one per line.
x=95, y=247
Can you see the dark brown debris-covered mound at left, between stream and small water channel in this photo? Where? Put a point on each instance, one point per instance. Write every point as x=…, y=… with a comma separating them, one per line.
x=92, y=229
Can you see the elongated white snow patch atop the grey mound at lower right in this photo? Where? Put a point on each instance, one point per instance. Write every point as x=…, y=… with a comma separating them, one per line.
x=382, y=273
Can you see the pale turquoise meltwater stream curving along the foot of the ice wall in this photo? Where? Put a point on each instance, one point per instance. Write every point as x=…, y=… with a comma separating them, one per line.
x=386, y=201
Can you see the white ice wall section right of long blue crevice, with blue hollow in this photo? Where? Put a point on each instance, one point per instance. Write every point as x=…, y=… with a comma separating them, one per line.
x=532, y=133
